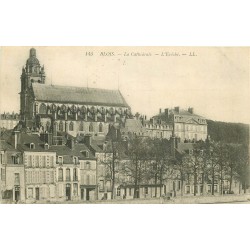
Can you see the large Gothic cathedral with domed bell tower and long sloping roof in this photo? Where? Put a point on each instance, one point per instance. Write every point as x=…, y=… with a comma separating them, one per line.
x=67, y=110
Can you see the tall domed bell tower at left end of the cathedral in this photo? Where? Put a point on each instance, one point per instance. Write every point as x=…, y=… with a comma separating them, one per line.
x=31, y=73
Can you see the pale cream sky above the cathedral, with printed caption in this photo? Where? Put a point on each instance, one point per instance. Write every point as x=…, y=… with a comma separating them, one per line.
x=212, y=80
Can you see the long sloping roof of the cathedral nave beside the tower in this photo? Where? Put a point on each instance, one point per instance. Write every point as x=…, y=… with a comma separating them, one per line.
x=78, y=95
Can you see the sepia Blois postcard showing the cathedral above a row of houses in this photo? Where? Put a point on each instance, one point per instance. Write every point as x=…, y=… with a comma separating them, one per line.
x=124, y=125
